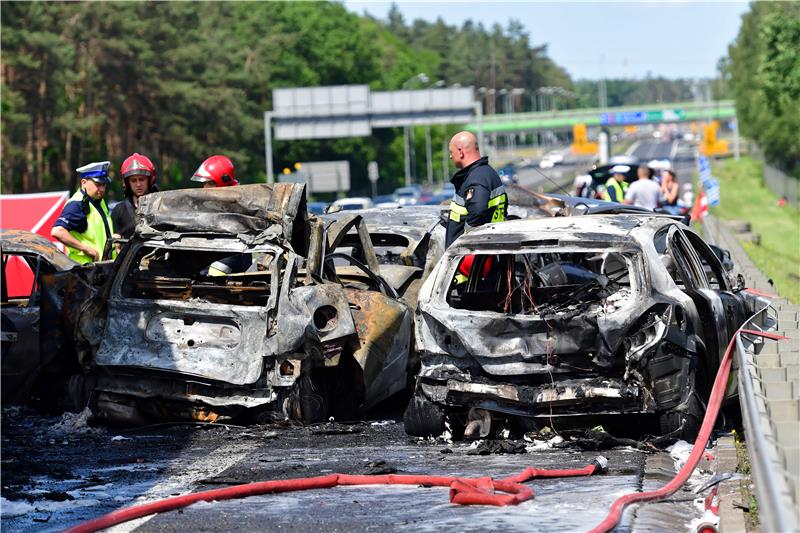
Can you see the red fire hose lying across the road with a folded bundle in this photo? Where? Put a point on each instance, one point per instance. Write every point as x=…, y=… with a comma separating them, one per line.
x=463, y=491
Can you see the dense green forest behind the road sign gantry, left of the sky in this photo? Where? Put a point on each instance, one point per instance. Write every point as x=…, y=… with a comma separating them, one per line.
x=179, y=81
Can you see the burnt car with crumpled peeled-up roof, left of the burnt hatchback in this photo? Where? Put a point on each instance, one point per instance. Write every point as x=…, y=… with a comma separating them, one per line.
x=222, y=305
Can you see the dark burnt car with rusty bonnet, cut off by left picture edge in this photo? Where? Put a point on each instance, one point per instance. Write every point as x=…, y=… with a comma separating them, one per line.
x=26, y=368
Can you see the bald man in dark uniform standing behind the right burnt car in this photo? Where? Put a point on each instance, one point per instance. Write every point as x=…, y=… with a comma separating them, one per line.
x=480, y=196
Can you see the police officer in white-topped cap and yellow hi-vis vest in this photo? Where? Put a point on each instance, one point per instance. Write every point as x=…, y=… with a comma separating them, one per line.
x=84, y=225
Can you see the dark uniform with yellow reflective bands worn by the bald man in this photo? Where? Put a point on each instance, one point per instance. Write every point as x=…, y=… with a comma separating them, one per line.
x=480, y=198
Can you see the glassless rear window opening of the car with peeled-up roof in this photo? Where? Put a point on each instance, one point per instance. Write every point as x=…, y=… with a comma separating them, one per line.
x=214, y=276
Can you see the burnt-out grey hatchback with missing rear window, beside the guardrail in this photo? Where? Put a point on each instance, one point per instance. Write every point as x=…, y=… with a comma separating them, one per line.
x=570, y=320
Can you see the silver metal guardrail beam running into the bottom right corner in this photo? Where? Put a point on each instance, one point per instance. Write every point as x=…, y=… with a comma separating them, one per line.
x=775, y=508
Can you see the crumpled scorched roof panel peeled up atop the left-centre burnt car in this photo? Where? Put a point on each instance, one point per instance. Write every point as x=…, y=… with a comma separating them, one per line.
x=262, y=209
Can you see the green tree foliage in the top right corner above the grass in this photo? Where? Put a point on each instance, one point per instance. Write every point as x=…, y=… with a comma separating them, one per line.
x=764, y=72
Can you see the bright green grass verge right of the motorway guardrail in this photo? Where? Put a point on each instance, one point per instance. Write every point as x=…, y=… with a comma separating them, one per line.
x=745, y=197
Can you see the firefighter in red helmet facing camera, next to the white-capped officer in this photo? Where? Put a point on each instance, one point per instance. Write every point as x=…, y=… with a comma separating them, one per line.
x=138, y=178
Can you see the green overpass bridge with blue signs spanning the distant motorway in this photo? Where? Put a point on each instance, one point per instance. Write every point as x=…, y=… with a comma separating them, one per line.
x=609, y=117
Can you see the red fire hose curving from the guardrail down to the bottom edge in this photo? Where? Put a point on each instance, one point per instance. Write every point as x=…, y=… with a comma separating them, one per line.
x=714, y=403
